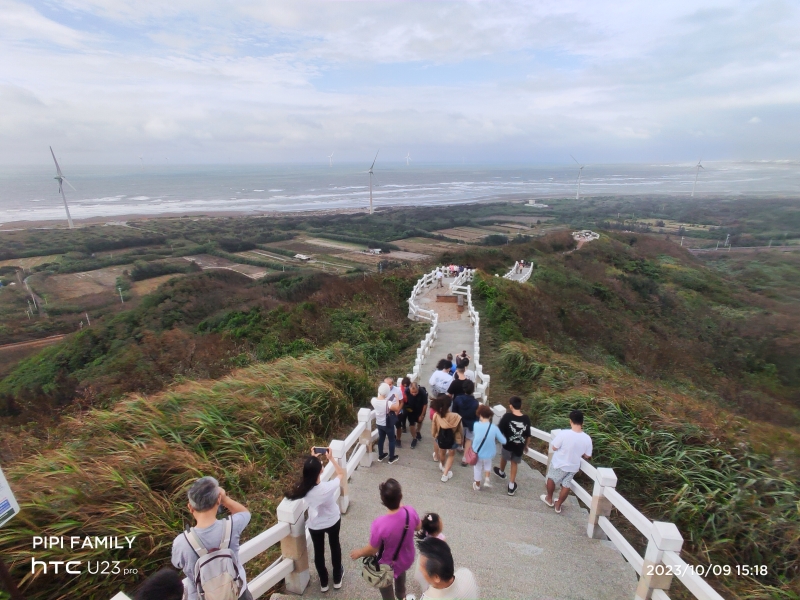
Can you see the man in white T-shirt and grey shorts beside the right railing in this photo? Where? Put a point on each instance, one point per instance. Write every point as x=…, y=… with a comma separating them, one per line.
x=569, y=447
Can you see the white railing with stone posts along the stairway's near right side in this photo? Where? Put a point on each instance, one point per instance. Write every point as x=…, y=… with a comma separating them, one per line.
x=661, y=560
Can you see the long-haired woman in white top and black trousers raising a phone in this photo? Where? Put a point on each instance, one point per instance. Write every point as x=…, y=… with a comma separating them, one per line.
x=324, y=516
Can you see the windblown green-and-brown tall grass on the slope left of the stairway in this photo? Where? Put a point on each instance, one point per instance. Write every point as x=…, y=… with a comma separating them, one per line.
x=125, y=471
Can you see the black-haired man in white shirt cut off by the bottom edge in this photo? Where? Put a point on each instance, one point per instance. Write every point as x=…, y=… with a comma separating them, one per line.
x=436, y=565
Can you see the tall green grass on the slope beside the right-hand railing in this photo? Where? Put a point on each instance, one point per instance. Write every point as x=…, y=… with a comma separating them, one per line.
x=732, y=505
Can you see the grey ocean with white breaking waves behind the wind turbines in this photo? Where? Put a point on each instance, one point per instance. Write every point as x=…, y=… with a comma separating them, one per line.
x=31, y=193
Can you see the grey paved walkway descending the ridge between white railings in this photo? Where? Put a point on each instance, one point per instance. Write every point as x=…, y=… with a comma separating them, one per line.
x=516, y=546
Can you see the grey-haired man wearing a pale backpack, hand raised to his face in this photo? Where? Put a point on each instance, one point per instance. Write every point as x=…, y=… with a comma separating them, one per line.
x=209, y=533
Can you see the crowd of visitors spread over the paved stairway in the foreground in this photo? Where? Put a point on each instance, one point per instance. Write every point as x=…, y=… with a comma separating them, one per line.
x=208, y=552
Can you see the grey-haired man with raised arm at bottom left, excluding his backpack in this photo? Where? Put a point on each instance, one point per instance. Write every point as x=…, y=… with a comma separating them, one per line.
x=205, y=498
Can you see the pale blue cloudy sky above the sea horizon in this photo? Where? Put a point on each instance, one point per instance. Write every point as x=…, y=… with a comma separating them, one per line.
x=518, y=82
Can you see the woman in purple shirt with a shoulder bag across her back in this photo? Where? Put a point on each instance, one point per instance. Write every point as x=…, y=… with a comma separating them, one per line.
x=390, y=532
